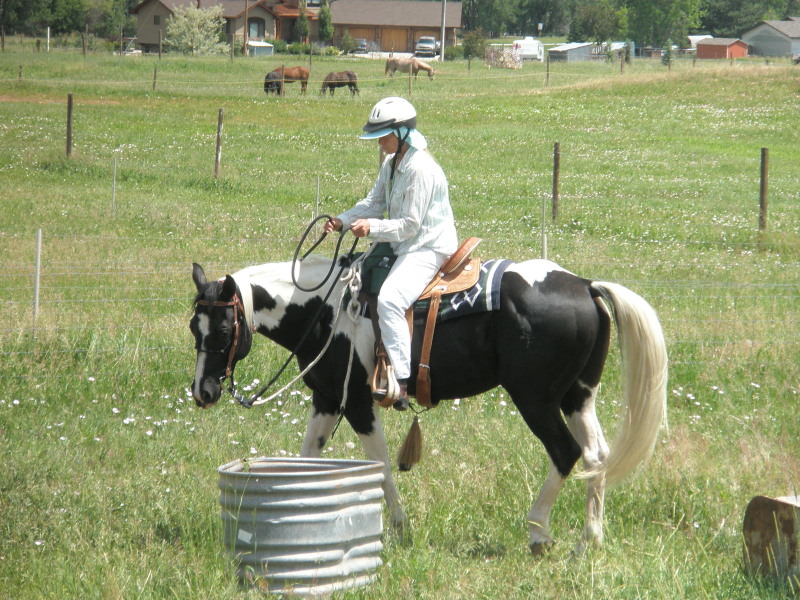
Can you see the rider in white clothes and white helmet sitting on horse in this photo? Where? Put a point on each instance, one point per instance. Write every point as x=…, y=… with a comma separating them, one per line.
x=409, y=207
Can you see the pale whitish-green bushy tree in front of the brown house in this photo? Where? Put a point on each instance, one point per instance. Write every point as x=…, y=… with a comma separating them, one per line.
x=194, y=30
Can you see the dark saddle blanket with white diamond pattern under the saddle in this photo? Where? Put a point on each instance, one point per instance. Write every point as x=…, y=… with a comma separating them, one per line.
x=482, y=297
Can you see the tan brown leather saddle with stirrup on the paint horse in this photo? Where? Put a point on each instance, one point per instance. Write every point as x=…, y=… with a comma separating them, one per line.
x=460, y=272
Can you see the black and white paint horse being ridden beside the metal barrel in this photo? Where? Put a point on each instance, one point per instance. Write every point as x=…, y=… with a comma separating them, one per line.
x=546, y=345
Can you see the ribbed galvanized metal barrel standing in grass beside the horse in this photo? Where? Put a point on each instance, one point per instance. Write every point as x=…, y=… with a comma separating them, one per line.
x=303, y=526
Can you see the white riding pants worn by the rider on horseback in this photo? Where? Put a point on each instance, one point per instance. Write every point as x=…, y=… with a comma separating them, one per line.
x=409, y=276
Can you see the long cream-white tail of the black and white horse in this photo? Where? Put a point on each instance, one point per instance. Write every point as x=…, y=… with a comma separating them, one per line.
x=644, y=366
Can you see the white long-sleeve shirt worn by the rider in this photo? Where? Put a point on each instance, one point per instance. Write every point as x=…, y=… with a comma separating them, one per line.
x=414, y=211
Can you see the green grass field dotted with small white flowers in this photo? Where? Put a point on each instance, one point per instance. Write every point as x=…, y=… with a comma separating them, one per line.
x=108, y=488
